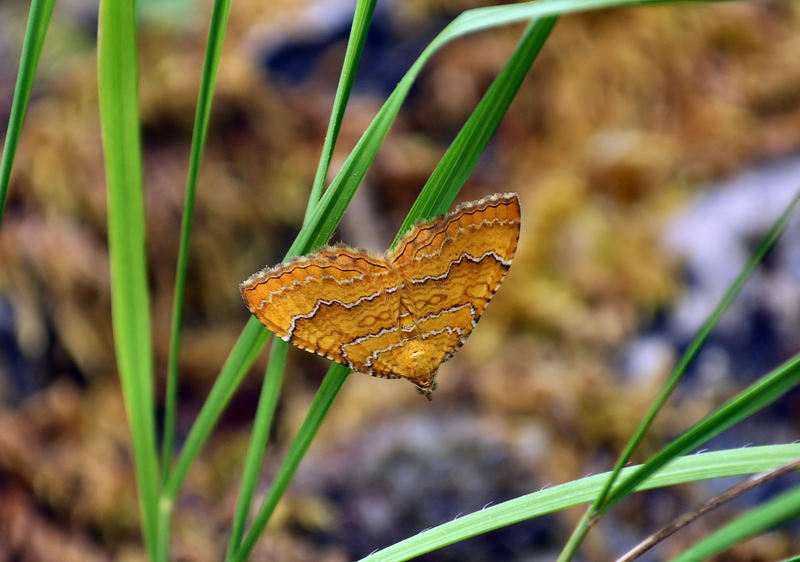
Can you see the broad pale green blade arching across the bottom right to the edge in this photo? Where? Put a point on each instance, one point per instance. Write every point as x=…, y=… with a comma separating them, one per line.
x=719, y=464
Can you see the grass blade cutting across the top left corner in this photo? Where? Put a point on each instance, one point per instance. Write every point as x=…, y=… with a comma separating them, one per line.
x=38, y=21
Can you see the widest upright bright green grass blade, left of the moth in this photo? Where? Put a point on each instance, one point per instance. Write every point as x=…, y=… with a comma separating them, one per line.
x=130, y=307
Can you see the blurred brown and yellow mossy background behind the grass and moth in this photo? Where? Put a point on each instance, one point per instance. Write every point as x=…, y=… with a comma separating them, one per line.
x=651, y=148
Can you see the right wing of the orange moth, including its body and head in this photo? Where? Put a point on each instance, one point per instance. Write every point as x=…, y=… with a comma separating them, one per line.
x=450, y=267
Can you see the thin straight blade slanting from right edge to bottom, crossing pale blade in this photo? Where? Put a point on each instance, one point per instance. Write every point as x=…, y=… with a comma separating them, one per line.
x=680, y=368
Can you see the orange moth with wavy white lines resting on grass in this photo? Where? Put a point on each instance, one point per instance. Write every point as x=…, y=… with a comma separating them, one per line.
x=400, y=314
